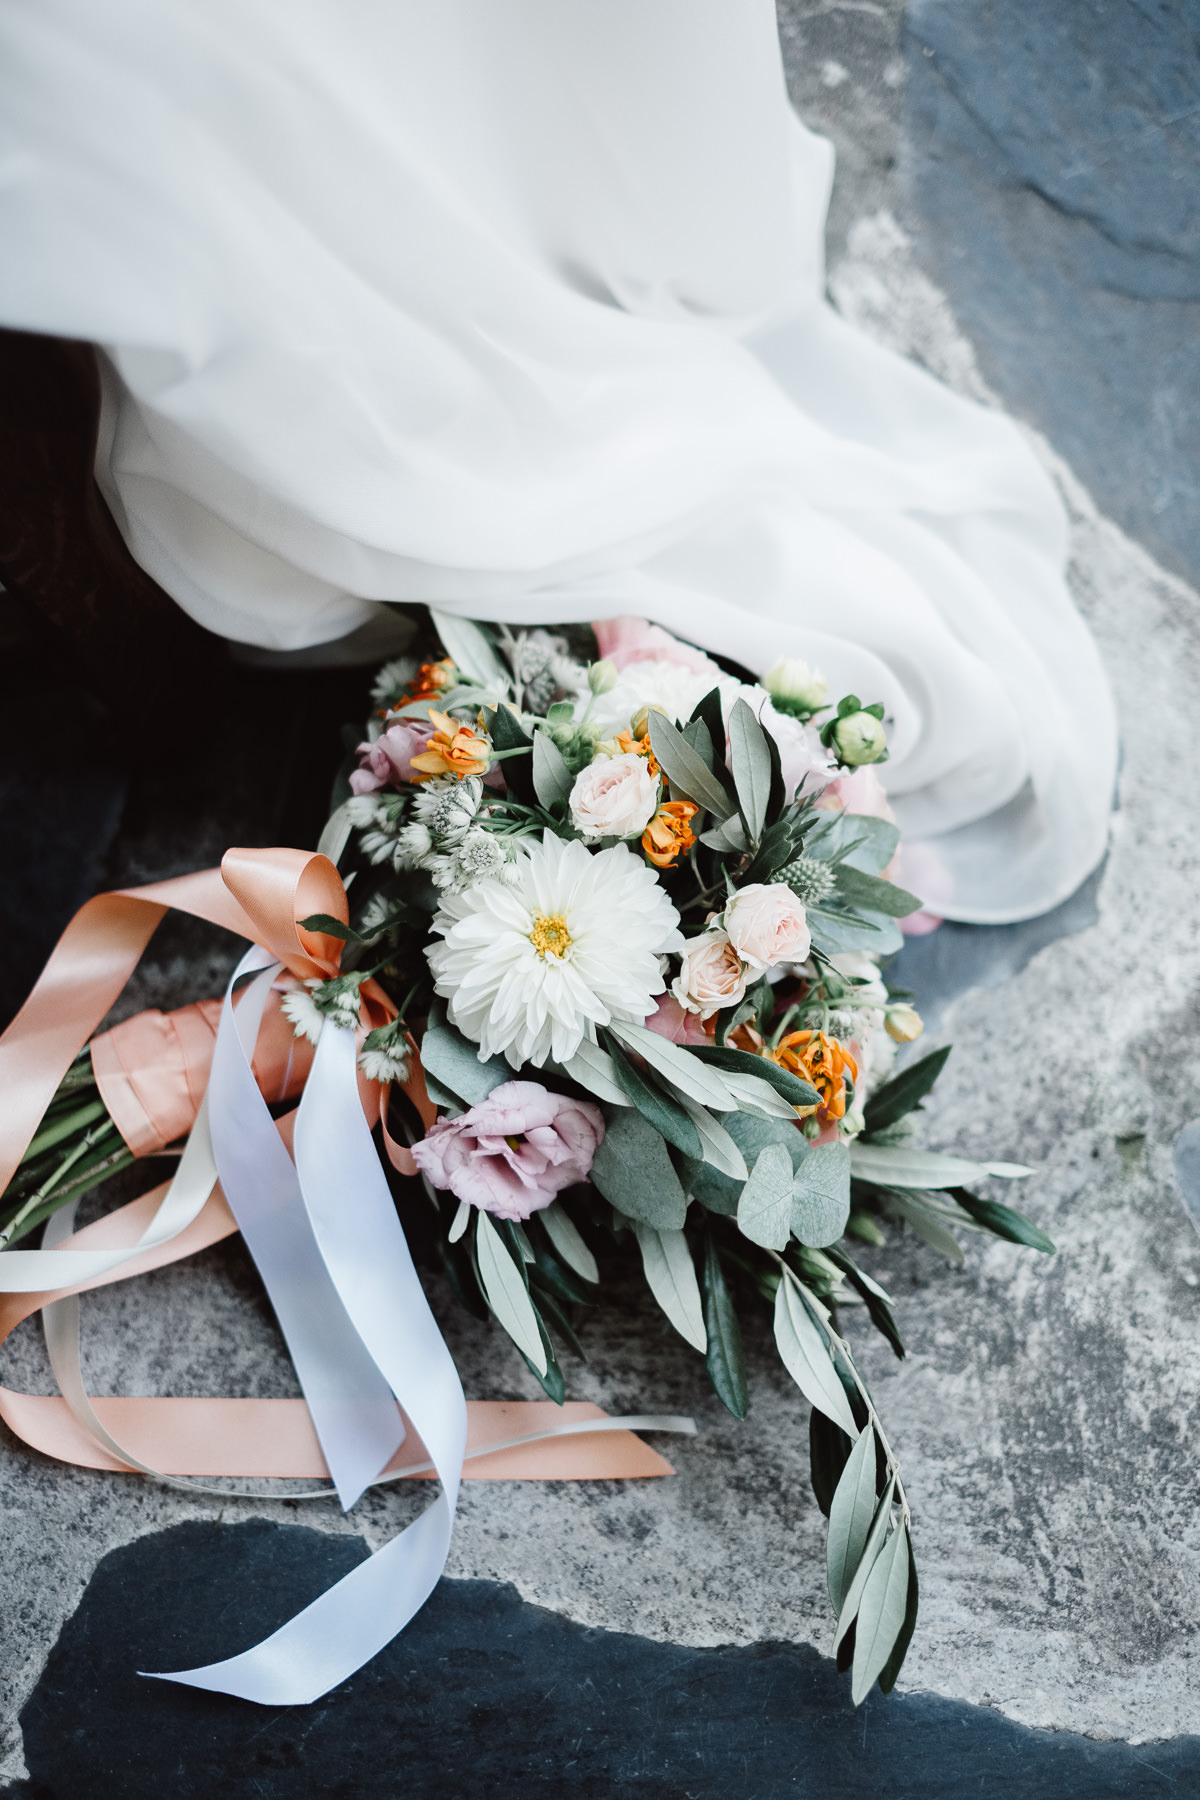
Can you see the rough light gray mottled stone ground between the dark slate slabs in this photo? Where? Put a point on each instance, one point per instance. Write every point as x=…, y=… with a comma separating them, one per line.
x=1048, y=1410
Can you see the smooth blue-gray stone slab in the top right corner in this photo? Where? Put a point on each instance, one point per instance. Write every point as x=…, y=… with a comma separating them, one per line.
x=1053, y=175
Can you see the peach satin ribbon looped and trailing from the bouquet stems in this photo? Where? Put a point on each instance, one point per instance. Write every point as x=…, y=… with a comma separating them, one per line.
x=260, y=895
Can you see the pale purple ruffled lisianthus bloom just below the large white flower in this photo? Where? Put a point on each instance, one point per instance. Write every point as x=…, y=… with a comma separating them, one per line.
x=515, y=1151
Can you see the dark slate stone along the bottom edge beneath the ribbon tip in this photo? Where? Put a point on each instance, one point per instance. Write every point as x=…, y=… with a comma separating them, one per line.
x=488, y=1696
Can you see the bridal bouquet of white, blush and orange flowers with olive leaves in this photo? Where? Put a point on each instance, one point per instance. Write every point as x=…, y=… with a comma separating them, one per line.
x=623, y=917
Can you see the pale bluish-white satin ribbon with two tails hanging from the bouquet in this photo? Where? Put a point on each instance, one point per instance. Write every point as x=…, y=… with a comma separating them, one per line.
x=350, y=1223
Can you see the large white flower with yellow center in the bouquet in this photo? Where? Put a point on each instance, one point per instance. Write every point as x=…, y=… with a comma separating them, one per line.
x=571, y=940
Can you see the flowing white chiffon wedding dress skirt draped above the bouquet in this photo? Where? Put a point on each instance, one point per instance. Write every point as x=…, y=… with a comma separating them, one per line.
x=515, y=307
